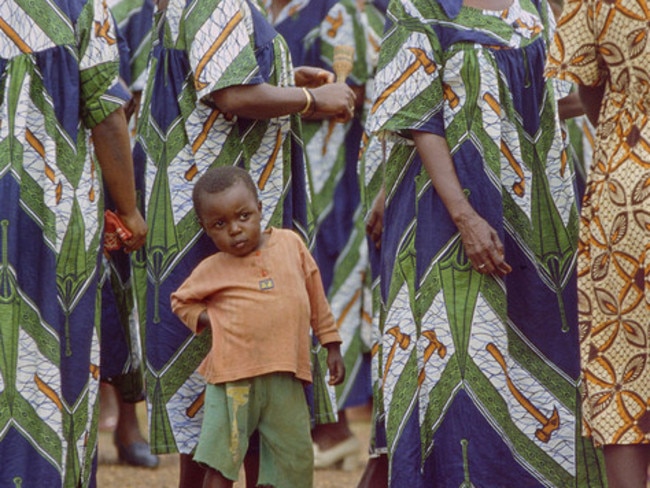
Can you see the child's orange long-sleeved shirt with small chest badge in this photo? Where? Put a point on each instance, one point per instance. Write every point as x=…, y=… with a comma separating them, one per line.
x=261, y=307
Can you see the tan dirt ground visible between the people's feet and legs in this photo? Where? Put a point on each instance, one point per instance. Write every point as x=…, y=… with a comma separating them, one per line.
x=111, y=474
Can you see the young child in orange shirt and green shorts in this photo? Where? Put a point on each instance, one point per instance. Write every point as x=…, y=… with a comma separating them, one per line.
x=259, y=295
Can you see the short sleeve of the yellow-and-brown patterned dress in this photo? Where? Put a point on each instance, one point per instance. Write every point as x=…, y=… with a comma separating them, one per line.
x=573, y=54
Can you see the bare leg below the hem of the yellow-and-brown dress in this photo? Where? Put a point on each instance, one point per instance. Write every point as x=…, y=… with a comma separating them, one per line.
x=627, y=465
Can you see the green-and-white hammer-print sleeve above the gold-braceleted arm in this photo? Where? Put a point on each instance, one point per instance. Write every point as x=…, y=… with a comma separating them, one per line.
x=221, y=46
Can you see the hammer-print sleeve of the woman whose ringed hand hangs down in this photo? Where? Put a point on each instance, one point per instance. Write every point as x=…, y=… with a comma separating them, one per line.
x=408, y=91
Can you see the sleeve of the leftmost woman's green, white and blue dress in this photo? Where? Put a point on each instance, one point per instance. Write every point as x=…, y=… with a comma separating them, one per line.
x=101, y=91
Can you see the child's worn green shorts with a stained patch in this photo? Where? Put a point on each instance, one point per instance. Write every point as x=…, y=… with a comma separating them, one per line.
x=275, y=405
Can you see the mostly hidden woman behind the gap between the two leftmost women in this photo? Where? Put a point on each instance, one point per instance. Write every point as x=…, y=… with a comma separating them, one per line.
x=122, y=364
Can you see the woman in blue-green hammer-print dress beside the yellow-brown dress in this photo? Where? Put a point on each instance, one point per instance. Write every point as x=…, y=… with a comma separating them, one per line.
x=479, y=371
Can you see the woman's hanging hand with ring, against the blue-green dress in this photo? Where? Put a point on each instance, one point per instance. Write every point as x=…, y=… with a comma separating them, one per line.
x=482, y=245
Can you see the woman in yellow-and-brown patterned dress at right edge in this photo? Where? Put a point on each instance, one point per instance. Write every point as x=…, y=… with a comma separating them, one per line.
x=603, y=47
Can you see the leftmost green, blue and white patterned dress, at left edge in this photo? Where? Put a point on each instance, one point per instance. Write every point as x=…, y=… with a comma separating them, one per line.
x=58, y=78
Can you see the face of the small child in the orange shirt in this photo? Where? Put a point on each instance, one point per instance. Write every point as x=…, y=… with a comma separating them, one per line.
x=232, y=219
